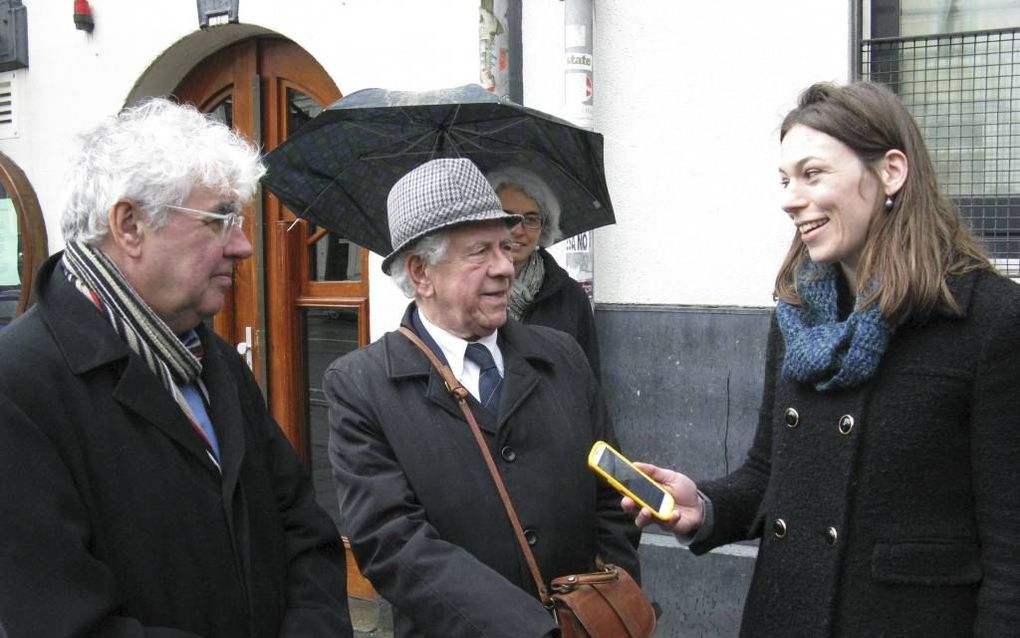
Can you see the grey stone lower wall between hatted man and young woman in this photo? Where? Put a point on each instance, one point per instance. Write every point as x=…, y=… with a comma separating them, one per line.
x=684, y=385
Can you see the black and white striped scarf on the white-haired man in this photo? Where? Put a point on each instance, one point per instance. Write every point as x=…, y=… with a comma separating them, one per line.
x=148, y=336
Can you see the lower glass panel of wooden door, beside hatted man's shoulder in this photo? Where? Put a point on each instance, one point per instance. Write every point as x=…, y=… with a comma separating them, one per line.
x=329, y=334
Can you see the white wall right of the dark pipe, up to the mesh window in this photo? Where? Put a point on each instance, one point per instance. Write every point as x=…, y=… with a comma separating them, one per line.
x=689, y=96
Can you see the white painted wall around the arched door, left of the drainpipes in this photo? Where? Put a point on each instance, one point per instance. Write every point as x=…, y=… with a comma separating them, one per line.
x=75, y=79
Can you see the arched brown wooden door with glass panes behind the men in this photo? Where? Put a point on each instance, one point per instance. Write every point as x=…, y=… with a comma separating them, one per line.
x=303, y=300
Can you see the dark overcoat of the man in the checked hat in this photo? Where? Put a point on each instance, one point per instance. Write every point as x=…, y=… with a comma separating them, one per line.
x=426, y=522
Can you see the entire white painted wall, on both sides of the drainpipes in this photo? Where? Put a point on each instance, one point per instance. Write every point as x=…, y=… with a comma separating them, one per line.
x=688, y=94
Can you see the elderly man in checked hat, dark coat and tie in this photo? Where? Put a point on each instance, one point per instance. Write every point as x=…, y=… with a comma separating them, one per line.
x=426, y=522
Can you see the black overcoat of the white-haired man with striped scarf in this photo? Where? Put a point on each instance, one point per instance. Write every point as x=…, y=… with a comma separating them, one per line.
x=114, y=520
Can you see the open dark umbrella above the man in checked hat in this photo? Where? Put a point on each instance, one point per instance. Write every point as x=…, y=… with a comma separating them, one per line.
x=338, y=170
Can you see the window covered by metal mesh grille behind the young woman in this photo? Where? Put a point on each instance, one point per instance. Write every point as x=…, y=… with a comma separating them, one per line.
x=957, y=67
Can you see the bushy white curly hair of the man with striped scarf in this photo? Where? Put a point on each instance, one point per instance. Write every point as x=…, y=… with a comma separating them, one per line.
x=155, y=154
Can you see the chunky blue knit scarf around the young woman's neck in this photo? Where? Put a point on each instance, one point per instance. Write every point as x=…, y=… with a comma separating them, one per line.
x=822, y=351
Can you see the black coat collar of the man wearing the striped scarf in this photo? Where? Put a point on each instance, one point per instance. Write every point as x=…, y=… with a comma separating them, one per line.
x=88, y=342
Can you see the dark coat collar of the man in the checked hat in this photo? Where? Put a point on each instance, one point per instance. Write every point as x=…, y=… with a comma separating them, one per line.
x=524, y=357
